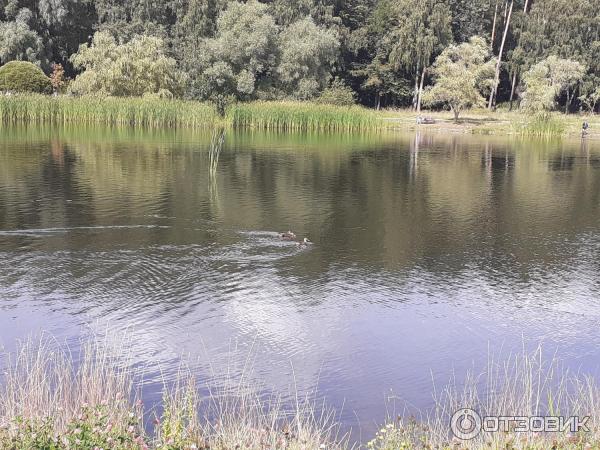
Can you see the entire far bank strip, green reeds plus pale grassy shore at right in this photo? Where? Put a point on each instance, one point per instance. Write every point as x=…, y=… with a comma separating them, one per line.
x=285, y=116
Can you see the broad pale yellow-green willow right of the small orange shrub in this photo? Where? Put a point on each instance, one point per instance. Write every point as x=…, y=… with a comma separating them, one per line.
x=132, y=69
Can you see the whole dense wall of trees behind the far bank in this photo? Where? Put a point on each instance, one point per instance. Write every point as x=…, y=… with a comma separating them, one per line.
x=380, y=53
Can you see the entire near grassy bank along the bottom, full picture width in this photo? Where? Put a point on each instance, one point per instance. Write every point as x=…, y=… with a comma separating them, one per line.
x=50, y=402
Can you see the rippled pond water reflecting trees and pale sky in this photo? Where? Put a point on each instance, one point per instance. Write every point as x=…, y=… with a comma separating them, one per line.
x=429, y=252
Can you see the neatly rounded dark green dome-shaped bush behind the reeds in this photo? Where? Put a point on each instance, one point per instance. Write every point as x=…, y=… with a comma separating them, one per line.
x=21, y=76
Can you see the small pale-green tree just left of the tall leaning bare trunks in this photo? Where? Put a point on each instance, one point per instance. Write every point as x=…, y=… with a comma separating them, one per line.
x=463, y=74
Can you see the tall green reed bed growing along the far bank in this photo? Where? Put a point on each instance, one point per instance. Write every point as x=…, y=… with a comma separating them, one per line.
x=155, y=113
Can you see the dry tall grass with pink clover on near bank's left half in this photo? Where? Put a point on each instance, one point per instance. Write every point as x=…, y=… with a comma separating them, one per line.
x=52, y=401
